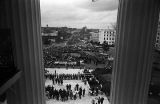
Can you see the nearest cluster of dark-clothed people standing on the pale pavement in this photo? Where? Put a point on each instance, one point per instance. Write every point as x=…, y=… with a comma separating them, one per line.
x=65, y=94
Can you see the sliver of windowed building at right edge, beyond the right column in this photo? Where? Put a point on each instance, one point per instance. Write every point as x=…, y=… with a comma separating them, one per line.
x=157, y=43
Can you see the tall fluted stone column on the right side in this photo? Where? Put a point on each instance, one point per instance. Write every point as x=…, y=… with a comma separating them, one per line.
x=137, y=24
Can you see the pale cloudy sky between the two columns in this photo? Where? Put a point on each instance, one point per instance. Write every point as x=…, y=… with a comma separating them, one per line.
x=79, y=13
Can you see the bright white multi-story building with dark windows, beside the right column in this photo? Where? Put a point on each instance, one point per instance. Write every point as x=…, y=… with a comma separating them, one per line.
x=107, y=35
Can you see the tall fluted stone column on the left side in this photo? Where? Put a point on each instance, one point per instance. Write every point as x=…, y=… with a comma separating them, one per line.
x=26, y=25
